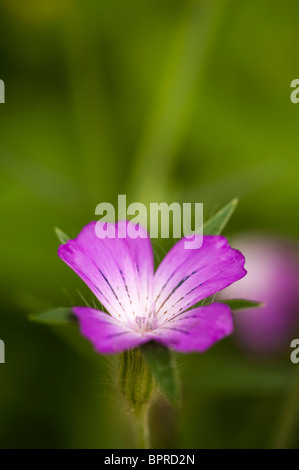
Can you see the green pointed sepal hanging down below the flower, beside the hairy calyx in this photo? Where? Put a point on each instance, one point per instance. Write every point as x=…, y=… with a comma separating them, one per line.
x=163, y=367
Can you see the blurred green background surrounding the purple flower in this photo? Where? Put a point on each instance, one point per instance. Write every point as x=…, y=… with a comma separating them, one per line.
x=161, y=100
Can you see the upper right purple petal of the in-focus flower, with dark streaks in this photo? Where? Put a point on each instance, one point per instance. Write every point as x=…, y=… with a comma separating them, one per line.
x=187, y=276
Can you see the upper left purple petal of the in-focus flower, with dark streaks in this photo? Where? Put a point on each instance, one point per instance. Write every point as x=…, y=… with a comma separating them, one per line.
x=119, y=271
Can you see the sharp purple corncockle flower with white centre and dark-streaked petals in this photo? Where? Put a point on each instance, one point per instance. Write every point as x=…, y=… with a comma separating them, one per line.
x=145, y=306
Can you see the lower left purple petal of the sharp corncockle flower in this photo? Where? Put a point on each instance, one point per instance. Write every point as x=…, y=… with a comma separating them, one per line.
x=107, y=334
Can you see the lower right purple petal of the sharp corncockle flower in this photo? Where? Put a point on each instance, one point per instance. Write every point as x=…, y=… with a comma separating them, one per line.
x=196, y=330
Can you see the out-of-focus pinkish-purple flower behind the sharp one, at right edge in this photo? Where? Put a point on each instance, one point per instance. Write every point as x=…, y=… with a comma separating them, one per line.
x=273, y=278
